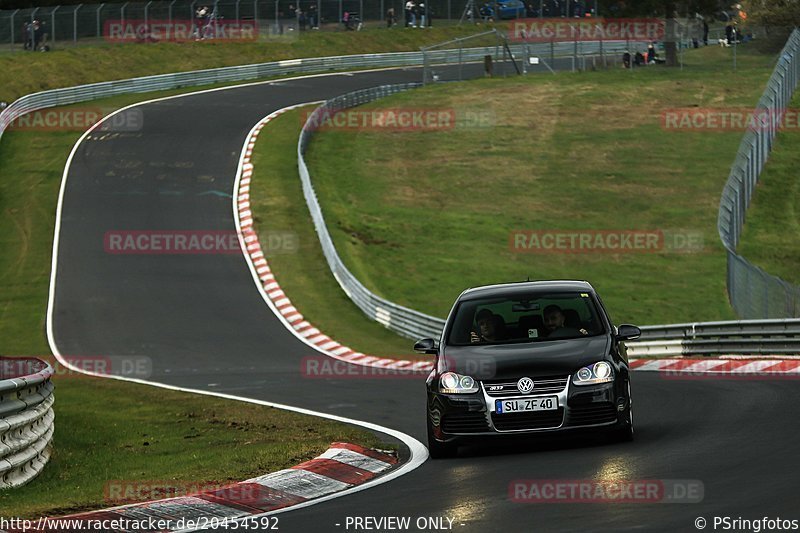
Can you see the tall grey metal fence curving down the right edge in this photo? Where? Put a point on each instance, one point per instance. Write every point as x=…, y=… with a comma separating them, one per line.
x=754, y=293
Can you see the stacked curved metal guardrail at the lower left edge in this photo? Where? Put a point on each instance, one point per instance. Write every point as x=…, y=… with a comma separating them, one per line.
x=26, y=419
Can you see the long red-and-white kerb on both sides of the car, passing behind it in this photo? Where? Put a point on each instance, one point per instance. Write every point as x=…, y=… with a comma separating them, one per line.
x=294, y=321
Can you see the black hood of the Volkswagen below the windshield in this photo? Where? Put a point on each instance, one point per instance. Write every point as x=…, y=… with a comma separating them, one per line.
x=539, y=359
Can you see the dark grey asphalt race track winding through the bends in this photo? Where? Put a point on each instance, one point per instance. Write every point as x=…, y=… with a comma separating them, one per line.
x=202, y=321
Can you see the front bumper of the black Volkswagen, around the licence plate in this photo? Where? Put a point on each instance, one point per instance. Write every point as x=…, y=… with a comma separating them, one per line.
x=454, y=416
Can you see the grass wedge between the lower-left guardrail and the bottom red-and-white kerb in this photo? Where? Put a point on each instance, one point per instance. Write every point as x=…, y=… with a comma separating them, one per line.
x=110, y=433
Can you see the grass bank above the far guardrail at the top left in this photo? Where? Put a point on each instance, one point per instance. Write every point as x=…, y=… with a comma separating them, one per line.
x=24, y=73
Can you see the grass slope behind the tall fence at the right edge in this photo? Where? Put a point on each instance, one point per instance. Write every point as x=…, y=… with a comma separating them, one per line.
x=770, y=234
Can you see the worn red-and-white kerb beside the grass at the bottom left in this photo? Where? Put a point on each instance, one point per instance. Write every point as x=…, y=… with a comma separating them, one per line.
x=341, y=467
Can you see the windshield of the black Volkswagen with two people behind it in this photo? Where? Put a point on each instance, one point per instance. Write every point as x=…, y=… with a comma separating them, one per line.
x=527, y=317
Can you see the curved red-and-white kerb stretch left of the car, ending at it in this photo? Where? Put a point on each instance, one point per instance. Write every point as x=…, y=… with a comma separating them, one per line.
x=269, y=286
